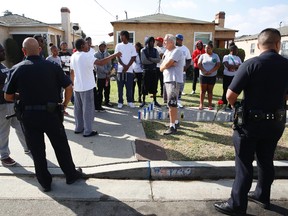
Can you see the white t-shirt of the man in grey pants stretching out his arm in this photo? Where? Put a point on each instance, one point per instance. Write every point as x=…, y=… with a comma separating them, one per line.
x=83, y=63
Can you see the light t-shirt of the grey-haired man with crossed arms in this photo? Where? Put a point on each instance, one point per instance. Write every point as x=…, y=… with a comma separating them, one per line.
x=174, y=73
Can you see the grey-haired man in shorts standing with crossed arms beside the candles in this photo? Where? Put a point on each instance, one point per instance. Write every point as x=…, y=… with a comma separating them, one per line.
x=172, y=68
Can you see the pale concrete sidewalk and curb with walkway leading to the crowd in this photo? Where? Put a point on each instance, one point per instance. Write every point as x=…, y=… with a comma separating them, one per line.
x=112, y=153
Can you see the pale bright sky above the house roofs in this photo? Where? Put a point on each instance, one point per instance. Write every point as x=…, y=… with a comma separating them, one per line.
x=247, y=16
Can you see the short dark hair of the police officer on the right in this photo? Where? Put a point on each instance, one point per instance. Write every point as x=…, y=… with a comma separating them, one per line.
x=269, y=36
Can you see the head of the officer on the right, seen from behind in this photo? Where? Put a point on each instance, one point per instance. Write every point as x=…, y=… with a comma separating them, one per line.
x=269, y=38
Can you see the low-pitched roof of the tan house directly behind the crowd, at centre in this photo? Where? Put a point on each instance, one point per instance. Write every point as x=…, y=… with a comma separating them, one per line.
x=161, y=18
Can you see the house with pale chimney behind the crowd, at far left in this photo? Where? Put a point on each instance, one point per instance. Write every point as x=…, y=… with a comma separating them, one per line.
x=18, y=27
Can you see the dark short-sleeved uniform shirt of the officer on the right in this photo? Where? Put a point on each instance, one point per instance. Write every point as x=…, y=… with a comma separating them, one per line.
x=264, y=80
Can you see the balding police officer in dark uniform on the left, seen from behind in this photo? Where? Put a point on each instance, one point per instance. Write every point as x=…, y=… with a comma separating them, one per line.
x=39, y=85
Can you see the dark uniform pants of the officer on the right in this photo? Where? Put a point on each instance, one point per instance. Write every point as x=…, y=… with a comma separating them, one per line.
x=260, y=139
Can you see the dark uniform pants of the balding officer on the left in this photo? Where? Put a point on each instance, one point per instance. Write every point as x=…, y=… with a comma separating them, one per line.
x=36, y=123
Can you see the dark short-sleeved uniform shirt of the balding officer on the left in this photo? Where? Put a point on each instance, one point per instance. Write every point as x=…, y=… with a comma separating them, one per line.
x=38, y=81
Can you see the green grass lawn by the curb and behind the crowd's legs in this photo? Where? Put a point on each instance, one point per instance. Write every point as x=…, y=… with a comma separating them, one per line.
x=197, y=140
